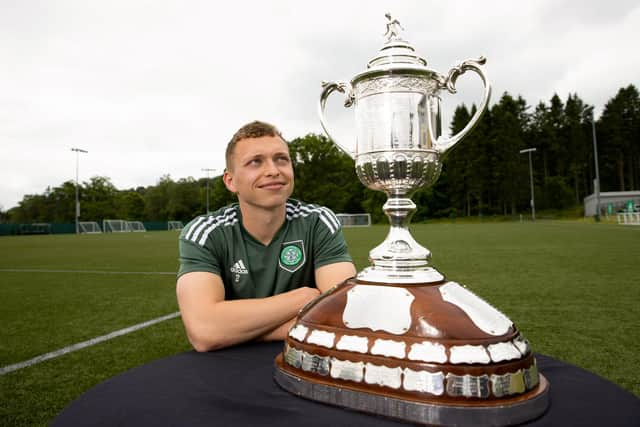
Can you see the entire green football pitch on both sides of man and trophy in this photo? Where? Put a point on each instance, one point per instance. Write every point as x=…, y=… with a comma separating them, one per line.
x=572, y=288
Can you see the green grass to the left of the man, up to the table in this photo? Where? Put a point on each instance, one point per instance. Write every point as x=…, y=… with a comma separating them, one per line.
x=42, y=312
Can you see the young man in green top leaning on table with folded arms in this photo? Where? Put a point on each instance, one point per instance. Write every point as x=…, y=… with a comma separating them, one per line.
x=247, y=269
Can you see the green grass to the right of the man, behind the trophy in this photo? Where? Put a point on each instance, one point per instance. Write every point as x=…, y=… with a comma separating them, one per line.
x=572, y=288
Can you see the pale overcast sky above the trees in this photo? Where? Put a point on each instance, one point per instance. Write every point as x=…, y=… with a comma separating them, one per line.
x=154, y=88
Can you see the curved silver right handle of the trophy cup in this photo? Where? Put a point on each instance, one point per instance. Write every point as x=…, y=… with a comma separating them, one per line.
x=444, y=144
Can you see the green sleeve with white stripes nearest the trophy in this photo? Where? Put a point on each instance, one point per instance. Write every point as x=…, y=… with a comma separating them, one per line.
x=330, y=246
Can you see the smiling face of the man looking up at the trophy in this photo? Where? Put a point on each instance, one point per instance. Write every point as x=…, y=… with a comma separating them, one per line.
x=260, y=172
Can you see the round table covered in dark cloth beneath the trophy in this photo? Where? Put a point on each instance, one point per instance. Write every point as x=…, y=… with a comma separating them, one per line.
x=235, y=387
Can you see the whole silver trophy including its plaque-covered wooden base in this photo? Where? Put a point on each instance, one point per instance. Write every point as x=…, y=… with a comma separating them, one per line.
x=400, y=339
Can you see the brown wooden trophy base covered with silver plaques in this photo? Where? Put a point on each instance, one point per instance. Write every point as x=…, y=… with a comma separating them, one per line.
x=431, y=353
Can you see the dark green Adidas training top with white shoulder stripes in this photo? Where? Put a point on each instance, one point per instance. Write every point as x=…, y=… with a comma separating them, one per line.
x=310, y=237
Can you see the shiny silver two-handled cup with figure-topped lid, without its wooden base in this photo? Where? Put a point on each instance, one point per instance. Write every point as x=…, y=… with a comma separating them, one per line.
x=399, y=144
